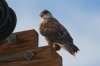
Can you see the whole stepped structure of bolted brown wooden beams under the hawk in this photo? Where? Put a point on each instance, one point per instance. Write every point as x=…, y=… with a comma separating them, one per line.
x=27, y=53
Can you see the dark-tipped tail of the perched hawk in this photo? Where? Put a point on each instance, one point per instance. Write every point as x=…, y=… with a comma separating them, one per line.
x=72, y=49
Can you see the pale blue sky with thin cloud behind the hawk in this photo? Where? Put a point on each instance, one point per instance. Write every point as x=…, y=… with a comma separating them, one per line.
x=80, y=17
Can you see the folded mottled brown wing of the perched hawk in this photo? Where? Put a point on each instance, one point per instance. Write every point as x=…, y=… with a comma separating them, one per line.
x=54, y=31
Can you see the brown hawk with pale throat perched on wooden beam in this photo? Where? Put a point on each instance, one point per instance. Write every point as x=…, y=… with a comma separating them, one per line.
x=56, y=34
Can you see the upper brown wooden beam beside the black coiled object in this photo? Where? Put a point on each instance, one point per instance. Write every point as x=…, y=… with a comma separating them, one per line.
x=26, y=40
